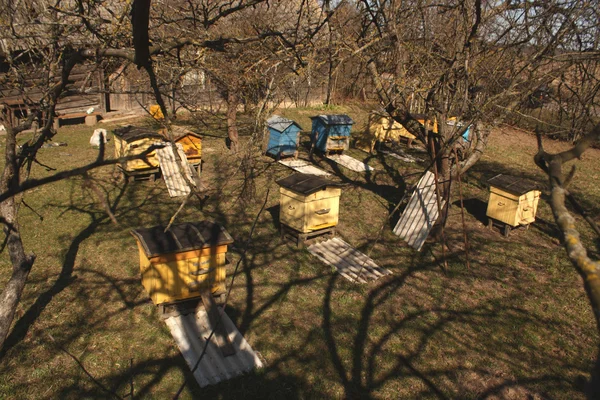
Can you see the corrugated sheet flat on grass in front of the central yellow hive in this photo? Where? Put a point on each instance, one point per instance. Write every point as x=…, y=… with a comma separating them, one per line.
x=349, y=262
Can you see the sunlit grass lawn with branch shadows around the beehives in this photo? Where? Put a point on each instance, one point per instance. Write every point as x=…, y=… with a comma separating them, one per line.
x=515, y=325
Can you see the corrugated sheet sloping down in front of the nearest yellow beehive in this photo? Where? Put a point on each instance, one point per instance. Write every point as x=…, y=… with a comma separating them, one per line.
x=190, y=333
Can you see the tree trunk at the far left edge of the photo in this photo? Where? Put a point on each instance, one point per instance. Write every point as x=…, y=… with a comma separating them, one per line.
x=22, y=263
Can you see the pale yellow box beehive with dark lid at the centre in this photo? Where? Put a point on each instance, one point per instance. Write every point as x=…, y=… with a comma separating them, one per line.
x=308, y=202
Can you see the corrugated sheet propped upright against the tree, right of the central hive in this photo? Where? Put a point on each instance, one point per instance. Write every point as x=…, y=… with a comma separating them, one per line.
x=420, y=214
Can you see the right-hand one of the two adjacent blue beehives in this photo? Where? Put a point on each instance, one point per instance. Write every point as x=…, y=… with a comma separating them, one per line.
x=331, y=132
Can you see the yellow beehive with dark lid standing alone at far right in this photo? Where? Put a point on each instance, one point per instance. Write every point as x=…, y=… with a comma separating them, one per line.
x=513, y=202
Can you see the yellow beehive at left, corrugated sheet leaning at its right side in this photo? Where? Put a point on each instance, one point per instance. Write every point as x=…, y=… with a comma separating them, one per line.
x=131, y=140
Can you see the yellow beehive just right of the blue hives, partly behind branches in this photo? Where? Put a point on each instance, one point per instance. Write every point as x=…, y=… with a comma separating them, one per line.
x=382, y=128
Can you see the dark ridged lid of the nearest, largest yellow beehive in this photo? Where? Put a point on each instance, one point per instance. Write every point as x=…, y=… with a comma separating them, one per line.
x=182, y=237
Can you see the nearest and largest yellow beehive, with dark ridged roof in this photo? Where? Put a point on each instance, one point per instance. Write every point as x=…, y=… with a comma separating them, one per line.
x=175, y=264
